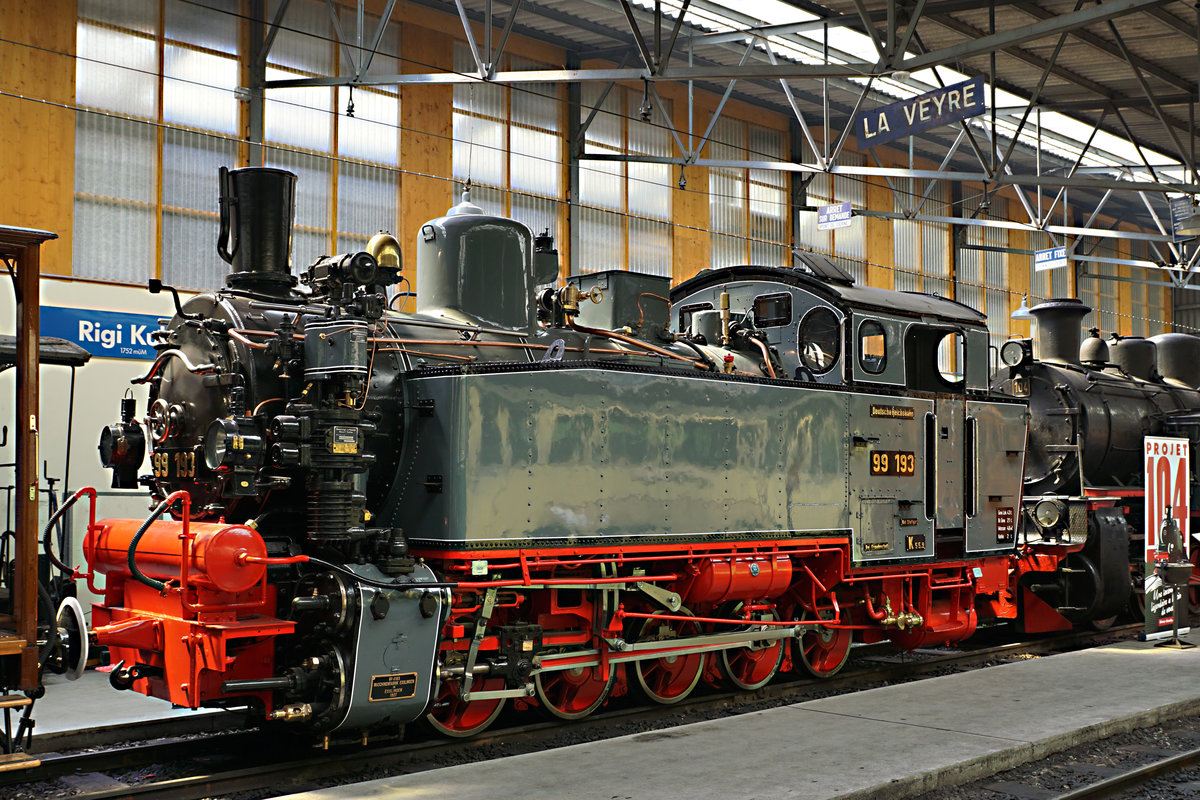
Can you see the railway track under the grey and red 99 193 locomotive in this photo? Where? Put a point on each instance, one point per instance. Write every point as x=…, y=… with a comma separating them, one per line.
x=245, y=762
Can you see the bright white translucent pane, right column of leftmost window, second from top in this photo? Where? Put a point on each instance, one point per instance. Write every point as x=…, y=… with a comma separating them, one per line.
x=199, y=89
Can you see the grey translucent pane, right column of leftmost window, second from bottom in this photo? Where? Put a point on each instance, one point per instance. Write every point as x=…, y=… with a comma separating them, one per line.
x=190, y=167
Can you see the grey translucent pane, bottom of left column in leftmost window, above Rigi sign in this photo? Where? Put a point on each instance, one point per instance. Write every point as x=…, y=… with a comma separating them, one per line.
x=113, y=242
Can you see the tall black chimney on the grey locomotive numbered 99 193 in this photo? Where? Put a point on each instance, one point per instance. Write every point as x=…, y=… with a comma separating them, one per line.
x=257, y=209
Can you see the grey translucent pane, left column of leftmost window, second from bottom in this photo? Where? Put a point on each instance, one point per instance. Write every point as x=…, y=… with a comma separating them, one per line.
x=115, y=158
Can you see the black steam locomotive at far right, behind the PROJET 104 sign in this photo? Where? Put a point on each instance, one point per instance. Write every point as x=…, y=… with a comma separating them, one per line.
x=1091, y=405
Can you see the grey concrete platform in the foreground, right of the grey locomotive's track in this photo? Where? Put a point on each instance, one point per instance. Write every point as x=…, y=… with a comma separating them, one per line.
x=897, y=742
